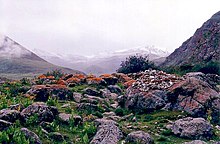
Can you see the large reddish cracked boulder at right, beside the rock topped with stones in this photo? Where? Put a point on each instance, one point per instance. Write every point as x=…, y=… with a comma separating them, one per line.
x=195, y=97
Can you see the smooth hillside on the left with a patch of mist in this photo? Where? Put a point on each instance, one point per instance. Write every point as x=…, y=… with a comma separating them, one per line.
x=17, y=60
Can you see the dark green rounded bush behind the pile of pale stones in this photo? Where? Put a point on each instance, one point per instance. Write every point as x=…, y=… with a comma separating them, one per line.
x=135, y=63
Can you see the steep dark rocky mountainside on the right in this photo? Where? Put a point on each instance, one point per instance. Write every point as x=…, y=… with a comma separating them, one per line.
x=202, y=47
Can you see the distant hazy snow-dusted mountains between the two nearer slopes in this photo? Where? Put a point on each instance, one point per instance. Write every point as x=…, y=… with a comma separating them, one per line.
x=106, y=62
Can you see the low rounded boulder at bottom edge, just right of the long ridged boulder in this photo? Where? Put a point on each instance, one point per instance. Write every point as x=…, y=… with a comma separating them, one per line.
x=140, y=137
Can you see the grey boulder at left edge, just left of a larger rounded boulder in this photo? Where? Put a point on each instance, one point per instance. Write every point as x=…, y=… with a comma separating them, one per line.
x=9, y=115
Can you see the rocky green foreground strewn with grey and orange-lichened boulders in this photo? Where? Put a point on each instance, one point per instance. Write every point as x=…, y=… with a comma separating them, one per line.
x=146, y=107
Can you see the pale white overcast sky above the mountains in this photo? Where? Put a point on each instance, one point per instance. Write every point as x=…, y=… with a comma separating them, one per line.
x=87, y=27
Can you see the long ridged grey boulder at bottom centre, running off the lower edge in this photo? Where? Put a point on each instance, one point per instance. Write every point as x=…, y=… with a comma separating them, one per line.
x=108, y=132
